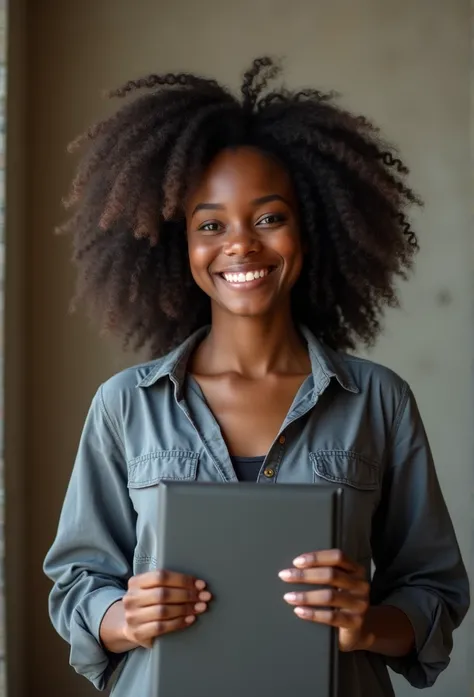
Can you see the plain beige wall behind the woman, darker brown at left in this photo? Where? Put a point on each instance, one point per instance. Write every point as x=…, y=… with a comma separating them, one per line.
x=405, y=63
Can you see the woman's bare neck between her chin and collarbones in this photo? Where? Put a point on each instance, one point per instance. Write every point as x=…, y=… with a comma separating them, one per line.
x=252, y=347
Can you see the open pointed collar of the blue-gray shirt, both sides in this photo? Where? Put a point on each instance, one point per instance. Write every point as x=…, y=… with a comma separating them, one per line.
x=325, y=364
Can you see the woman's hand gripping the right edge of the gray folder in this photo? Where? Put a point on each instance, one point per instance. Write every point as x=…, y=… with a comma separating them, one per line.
x=343, y=605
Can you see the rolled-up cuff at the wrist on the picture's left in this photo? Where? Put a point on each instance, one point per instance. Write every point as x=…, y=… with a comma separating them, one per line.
x=88, y=657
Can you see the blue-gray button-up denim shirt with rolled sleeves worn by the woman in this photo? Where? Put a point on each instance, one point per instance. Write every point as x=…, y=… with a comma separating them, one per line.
x=352, y=422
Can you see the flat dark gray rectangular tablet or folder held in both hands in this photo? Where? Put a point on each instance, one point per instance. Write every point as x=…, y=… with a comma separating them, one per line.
x=238, y=537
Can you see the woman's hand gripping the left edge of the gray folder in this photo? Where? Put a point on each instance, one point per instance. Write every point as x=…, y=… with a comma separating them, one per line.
x=160, y=602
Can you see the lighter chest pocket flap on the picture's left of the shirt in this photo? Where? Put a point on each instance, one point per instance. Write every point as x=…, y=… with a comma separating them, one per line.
x=162, y=466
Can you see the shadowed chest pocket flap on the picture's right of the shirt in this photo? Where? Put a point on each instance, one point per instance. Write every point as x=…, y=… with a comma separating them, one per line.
x=347, y=468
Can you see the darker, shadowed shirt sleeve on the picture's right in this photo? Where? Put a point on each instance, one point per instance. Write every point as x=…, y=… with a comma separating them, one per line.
x=418, y=563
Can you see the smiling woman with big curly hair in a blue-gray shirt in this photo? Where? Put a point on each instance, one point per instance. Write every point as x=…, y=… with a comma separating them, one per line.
x=257, y=238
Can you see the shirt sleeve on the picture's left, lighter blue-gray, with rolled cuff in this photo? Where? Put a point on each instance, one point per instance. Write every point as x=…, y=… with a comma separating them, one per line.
x=90, y=560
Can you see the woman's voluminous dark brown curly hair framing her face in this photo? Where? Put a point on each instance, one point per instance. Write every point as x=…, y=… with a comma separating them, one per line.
x=129, y=228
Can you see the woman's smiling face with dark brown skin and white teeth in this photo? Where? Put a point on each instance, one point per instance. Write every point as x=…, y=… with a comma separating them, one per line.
x=243, y=237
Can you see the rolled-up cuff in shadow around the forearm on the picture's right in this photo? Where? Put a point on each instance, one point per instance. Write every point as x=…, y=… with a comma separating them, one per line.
x=432, y=642
